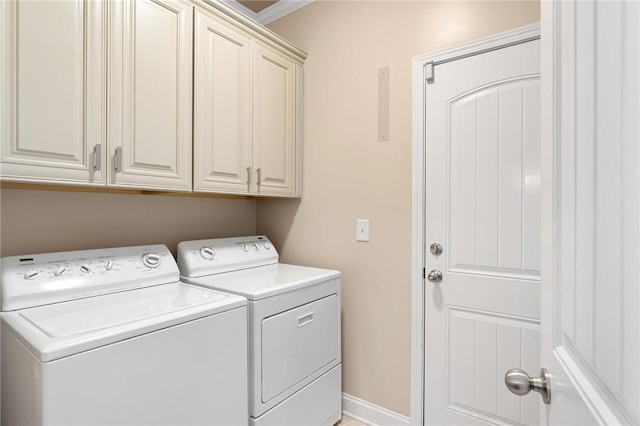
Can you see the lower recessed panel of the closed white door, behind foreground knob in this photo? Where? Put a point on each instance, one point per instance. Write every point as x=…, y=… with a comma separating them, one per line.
x=483, y=346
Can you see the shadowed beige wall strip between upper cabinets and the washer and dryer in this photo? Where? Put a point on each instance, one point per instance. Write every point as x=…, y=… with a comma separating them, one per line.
x=47, y=221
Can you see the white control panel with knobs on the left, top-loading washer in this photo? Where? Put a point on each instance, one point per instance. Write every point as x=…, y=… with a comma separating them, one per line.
x=39, y=279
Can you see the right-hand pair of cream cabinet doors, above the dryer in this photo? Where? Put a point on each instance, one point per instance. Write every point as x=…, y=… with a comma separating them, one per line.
x=247, y=103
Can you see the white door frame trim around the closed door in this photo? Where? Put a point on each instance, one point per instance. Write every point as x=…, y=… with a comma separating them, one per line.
x=422, y=71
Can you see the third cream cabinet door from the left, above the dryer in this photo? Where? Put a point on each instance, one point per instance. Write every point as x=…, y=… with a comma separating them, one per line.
x=222, y=108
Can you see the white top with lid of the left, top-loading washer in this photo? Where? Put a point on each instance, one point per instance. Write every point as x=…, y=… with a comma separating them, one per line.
x=59, y=330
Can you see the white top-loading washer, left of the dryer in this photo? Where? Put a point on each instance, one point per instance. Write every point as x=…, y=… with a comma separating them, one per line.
x=112, y=337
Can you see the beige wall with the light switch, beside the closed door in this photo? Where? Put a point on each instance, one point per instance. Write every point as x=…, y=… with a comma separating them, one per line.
x=348, y=174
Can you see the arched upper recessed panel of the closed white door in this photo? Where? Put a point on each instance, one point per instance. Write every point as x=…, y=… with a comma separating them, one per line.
x=496, y=198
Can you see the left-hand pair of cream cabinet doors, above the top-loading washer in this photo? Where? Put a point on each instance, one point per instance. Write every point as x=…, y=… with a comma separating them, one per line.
x=55, y=100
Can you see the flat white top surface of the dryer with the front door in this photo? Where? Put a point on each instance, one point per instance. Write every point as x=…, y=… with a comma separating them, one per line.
x=265, y=281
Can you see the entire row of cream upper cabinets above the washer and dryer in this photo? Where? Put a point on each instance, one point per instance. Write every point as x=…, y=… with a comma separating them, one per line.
x=105, y=93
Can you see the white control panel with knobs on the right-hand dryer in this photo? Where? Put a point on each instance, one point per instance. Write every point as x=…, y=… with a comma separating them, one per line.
x=214, y=256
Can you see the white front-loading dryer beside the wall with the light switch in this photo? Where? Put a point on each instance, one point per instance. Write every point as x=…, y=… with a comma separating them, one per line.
x=294, y=327
